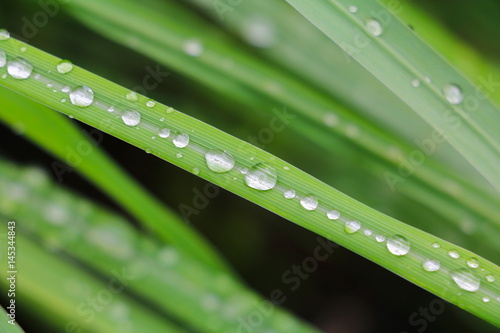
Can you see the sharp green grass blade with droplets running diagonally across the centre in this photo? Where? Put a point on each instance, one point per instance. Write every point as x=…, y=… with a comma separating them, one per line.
x=257, y=176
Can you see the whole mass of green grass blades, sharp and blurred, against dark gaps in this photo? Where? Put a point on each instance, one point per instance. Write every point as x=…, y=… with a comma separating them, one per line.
x=336, y=134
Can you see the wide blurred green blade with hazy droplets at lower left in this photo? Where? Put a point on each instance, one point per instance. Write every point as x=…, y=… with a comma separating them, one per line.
x=205, y=299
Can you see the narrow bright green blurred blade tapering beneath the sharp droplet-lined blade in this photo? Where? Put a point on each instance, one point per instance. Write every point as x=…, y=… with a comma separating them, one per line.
x=80, y=150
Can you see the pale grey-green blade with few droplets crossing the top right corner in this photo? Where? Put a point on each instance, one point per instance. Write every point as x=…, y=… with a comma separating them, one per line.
x=393, y=54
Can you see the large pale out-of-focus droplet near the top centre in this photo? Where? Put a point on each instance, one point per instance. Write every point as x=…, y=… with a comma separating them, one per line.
x=259, y=32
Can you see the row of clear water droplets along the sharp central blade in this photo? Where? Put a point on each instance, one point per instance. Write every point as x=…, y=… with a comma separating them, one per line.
x=260, y=176
